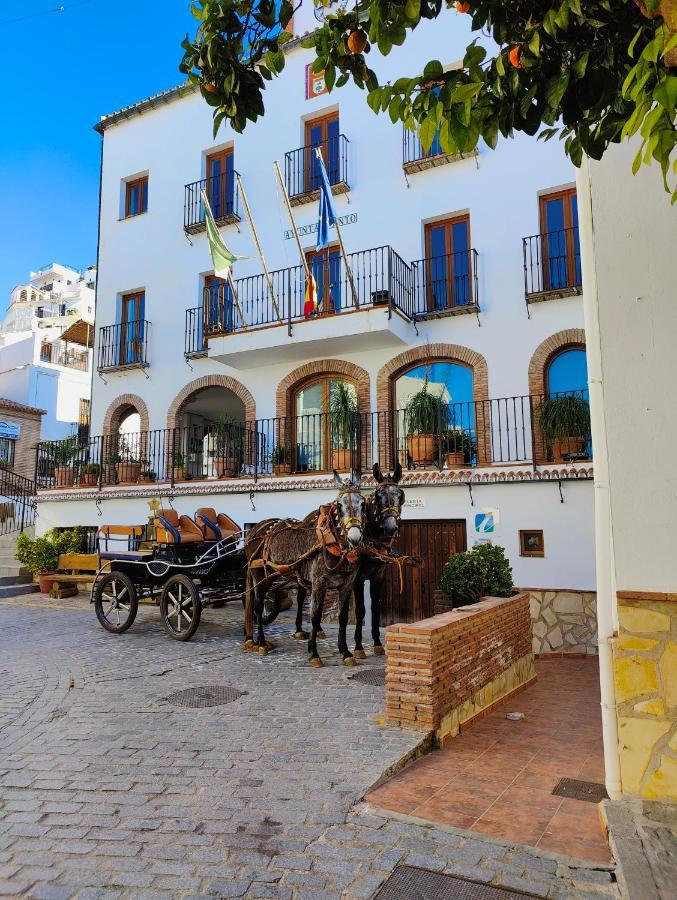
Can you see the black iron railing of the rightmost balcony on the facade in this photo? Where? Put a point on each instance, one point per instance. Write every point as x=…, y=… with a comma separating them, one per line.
x=552, y=262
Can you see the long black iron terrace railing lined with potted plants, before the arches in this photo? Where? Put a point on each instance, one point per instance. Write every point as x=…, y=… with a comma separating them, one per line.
x=518, y=431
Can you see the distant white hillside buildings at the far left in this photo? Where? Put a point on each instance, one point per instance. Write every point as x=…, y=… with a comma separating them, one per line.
x=45, y=346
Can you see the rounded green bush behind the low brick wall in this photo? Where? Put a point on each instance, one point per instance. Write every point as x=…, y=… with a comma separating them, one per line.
x=483, y=571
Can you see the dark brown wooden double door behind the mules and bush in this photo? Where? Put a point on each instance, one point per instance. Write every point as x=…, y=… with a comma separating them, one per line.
x=434, y=540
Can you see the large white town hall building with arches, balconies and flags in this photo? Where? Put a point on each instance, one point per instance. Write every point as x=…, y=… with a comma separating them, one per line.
x=465, y=282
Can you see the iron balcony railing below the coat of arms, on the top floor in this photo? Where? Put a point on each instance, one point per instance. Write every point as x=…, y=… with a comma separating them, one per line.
x=302, y=171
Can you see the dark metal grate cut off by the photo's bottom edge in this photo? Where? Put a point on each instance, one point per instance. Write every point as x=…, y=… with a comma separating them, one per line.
x=408, y=883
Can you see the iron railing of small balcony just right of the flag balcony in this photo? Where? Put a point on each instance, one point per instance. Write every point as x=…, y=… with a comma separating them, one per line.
x=445, y=283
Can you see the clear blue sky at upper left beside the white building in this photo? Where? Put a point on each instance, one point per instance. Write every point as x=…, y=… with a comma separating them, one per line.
x=64, y=70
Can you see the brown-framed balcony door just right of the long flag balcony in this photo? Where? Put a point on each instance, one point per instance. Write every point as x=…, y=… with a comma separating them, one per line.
x=447, y=265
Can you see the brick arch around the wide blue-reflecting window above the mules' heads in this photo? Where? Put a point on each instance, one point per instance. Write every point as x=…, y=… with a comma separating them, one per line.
x=454, y=353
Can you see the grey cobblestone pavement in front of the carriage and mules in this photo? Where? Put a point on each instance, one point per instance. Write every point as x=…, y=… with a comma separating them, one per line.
x=109, y=790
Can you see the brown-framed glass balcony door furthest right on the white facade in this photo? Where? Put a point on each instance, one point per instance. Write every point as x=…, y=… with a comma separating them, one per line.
x=561, y=248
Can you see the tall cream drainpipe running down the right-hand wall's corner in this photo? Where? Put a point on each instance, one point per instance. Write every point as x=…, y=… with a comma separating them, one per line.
x=604, y=559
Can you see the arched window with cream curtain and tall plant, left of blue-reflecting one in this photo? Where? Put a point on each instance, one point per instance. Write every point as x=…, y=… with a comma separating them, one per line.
x=325, y=424
